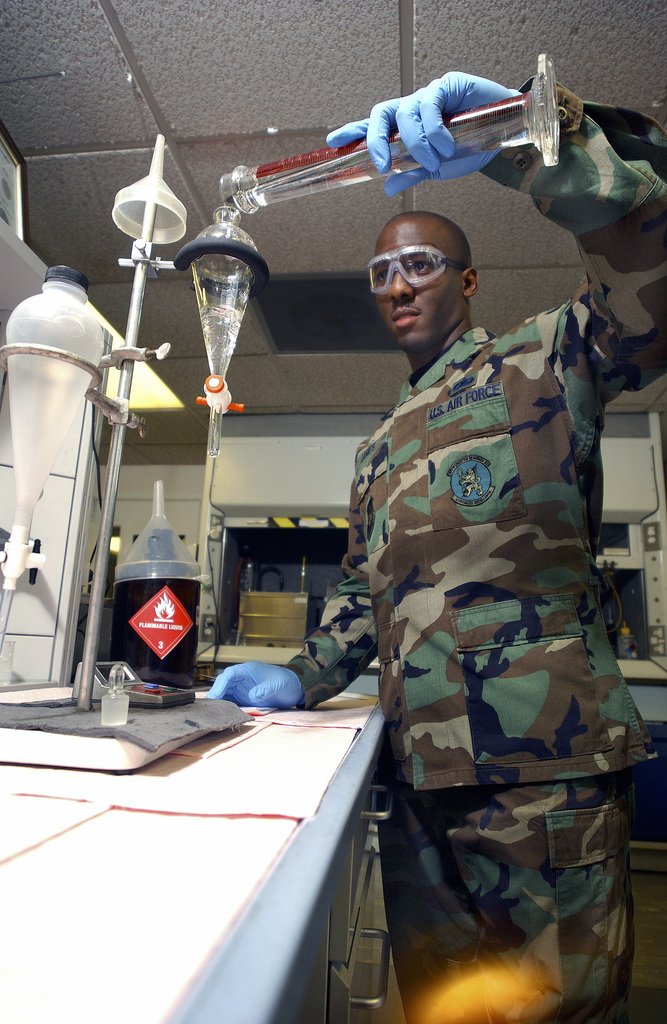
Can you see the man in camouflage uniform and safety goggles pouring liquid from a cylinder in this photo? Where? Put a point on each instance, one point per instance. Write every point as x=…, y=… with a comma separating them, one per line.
x=471, y=575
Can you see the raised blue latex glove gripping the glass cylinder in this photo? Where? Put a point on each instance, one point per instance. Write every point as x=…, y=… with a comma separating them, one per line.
x=420, y=120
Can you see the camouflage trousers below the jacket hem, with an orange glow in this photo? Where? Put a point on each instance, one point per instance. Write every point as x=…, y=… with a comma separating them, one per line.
x=512, y=904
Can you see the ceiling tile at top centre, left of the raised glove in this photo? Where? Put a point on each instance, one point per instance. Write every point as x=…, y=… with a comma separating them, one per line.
x=224, y=69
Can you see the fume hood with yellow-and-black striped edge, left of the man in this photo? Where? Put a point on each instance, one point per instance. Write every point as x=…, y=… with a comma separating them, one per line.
x=274, y=502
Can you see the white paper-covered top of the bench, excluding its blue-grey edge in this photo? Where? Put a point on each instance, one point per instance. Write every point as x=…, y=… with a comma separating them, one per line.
x=118, y=889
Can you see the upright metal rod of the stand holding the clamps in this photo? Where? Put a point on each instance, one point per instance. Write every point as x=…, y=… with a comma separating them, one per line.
x=96, y=608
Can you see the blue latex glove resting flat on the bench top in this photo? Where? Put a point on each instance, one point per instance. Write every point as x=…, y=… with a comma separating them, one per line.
x=258, y=686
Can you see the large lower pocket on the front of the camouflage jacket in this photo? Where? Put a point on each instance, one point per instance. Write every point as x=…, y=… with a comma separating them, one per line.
x=531, y=695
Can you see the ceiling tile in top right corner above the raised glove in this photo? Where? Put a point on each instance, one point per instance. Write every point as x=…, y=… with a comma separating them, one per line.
x=503, y=42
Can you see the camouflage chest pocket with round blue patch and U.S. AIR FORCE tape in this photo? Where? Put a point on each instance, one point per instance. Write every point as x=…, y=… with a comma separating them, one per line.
x=473, y=472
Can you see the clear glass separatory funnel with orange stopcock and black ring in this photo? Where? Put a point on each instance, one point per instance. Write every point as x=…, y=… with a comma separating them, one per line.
x=227, y=272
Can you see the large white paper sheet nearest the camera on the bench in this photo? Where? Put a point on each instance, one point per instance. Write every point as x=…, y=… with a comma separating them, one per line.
x=123, y=944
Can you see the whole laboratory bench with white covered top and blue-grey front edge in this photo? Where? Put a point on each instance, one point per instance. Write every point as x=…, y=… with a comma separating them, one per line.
x=225, y=882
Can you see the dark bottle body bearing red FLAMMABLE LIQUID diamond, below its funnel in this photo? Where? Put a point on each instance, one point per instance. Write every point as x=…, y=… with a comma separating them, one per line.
x=178, y=667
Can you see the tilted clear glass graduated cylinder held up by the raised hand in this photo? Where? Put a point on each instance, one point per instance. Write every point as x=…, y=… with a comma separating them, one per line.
x=528, y=118
